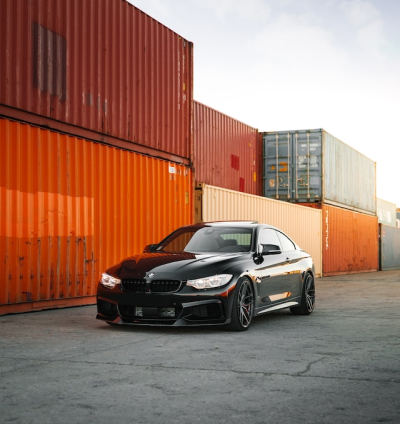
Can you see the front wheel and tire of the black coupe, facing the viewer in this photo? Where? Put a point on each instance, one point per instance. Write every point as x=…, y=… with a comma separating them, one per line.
x=242, y=306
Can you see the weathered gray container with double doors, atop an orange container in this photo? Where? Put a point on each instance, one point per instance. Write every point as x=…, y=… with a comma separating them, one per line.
x=312, y=166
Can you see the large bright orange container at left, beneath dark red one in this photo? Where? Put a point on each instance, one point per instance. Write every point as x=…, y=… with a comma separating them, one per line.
x=70, y=207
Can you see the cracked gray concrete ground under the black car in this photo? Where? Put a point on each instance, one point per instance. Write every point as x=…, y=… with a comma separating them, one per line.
x=341, y=364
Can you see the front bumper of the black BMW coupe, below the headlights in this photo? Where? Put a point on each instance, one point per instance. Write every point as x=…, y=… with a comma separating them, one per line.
x=208, y=307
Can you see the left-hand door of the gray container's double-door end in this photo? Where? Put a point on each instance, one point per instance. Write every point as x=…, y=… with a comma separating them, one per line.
x=277, y=169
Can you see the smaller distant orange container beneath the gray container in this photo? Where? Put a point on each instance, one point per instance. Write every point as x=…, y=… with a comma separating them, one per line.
x=350, y=241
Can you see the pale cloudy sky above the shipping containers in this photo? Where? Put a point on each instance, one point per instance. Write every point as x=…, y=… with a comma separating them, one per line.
x=280, y=65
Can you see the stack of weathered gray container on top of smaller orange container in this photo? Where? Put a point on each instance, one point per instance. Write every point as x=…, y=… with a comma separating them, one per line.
x=315, y=169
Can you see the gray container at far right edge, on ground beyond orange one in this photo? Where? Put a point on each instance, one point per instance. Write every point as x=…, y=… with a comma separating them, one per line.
x=389, y=247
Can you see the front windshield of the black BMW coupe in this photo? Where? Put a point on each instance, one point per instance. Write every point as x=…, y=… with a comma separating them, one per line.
x=208, y=239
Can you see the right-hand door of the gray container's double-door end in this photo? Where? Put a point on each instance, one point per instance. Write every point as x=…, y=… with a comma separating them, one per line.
x=307, y=166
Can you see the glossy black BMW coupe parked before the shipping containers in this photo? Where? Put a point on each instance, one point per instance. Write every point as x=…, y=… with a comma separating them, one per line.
x=215, y=273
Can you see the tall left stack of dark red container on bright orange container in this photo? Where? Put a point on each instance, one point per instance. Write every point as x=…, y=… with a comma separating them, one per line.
x=96, y=144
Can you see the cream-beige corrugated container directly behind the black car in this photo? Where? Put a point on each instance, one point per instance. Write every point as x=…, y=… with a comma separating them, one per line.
x=303, y=225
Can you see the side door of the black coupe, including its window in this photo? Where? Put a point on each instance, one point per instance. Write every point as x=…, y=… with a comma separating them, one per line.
x=275, y=271
